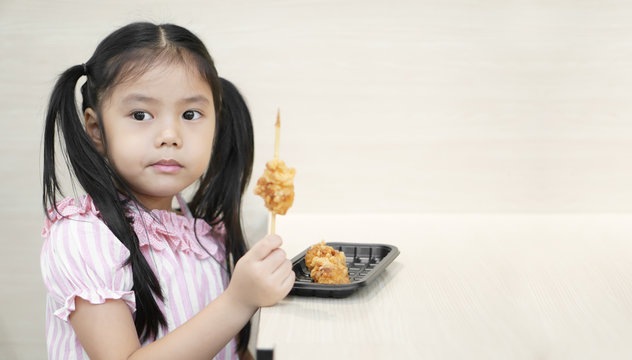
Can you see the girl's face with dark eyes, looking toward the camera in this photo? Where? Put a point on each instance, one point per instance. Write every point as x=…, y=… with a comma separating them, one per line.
x=159, y=130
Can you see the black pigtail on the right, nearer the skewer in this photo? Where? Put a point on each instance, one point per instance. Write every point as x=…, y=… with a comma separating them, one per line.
x=221, y=190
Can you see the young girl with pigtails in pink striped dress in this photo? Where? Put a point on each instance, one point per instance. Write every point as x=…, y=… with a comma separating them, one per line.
x=129, y=277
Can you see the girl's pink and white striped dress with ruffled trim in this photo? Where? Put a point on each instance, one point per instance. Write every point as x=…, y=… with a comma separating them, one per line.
x=82, y=258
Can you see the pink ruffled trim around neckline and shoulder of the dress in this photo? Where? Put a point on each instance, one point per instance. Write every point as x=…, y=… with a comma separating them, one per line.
x=156, y=229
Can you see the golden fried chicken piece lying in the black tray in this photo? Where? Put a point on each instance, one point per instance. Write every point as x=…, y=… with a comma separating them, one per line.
x=327, y=265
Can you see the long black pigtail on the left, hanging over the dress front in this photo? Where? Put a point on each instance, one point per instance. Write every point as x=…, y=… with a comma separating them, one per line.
x=99, y=181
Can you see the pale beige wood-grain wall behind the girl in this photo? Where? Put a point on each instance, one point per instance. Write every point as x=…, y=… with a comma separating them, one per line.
x=387, y=106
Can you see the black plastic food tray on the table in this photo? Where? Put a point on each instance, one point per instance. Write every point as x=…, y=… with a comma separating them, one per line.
x=365, y=263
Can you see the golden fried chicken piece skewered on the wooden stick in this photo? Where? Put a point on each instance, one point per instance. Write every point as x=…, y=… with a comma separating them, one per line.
x=276, y=186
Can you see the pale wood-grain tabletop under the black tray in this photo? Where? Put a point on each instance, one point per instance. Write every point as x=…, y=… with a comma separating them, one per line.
x=465, y=286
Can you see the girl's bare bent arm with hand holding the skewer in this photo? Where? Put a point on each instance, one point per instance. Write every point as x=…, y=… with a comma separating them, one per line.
x=262, y=277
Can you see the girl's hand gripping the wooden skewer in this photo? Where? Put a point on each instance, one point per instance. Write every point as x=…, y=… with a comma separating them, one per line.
x=263, y=276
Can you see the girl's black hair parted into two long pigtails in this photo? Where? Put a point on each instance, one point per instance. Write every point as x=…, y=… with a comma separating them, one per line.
x=126, y=53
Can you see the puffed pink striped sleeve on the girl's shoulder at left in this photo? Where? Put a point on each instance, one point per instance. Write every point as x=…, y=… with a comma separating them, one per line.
x=82, y=258
